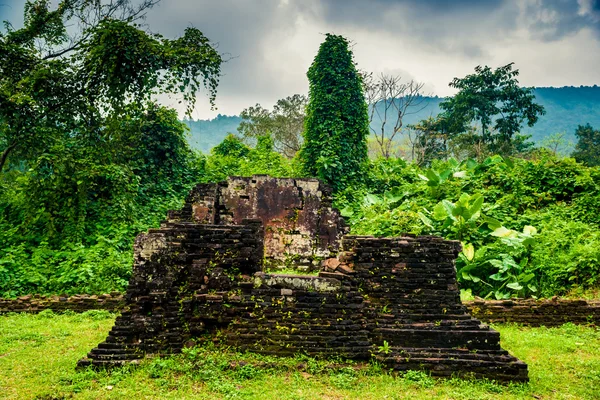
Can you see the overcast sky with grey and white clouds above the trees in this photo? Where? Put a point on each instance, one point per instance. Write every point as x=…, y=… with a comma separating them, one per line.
x=273, y=42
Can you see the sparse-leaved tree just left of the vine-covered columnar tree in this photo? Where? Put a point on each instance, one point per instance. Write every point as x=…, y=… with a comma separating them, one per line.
x=284, y=124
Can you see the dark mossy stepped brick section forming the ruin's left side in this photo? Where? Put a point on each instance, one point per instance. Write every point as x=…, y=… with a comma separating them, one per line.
x=173, y=266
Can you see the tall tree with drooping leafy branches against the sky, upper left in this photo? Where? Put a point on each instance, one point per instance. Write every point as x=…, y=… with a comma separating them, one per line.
x=57, y=82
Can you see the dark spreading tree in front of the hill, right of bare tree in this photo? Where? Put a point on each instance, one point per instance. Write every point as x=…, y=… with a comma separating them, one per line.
x=495, y=100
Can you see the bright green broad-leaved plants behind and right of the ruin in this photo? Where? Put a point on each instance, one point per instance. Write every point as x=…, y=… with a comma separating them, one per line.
x=527, y=227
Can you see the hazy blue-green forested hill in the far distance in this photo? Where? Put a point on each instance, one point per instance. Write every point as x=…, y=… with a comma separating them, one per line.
x=566, y=107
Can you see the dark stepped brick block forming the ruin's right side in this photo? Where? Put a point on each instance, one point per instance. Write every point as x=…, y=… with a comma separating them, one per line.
x=415, y=312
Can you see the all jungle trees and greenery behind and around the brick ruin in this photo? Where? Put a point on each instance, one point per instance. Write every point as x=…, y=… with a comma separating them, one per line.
x=89, y=161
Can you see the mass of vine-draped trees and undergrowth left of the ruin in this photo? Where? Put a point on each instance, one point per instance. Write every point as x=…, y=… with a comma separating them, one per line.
x=87, y=159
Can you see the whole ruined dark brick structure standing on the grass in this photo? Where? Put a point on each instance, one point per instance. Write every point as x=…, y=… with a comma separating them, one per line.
x=201, y=272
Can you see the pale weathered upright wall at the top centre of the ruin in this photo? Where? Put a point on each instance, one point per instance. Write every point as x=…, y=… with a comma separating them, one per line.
x=300, y=225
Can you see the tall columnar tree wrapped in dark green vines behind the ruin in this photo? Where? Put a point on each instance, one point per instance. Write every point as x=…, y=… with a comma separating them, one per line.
x=337, y=121
